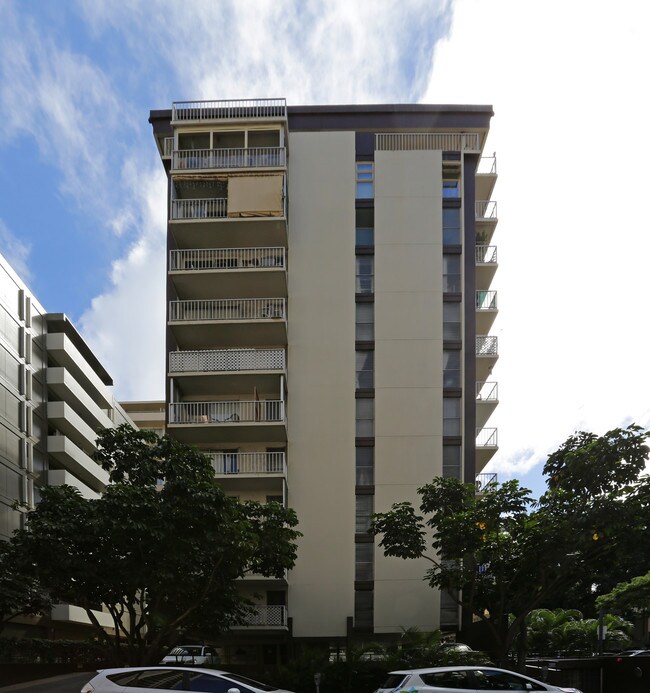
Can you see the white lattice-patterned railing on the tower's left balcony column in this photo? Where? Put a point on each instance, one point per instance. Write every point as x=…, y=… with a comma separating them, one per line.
x=226, y=360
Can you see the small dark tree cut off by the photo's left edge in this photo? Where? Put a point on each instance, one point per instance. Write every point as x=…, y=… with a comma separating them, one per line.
x=20, y=593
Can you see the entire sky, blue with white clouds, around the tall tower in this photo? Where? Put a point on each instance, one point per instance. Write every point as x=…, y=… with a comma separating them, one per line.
x=82, y=189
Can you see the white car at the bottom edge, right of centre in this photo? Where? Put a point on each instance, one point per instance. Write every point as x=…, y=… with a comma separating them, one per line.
x=466, y=678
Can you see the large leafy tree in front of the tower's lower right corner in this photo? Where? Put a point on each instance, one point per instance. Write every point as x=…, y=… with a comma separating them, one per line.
x=501, y=554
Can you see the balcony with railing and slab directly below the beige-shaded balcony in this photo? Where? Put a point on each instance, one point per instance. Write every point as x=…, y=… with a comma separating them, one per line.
x=224, y=272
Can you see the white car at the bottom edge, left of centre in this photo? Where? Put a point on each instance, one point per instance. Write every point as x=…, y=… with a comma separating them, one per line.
x=161, y=678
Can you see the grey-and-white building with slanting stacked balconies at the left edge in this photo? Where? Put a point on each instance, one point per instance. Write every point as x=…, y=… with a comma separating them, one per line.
x=54, y=395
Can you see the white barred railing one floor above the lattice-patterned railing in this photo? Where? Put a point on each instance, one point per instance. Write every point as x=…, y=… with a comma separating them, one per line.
x=227, y=309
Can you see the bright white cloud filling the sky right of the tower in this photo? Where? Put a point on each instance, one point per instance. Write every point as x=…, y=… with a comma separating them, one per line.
x=567, y=84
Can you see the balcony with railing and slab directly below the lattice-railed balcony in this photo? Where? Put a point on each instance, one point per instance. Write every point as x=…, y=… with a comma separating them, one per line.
x=231, y=421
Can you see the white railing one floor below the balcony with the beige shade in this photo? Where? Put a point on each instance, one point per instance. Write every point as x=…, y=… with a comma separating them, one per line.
x=226, y=258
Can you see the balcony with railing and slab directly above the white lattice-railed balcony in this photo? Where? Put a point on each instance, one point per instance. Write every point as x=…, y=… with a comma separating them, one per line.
x=251, y=321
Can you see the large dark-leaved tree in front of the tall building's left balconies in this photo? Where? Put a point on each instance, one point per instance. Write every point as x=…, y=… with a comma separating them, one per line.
x=162, y=549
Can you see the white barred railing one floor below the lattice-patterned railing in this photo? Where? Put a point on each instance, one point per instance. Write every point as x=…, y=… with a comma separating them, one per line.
x=234, y=411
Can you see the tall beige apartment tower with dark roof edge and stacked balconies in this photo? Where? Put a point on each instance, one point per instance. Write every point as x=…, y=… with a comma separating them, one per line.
x=330, y=303
